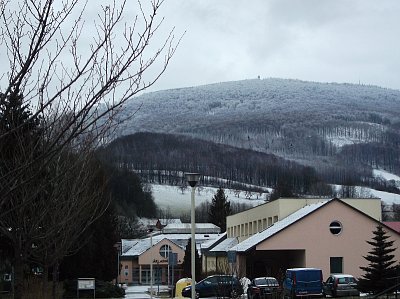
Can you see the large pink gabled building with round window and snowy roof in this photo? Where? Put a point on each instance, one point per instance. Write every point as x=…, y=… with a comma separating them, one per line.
x=330, y=235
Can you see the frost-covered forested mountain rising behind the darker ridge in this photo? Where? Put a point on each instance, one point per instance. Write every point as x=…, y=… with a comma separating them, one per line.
x=341, y=130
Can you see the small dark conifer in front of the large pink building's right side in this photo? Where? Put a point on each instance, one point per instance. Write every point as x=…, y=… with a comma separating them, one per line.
x=380, y=269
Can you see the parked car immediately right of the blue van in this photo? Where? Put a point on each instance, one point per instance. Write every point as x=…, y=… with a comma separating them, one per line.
x=341, y=285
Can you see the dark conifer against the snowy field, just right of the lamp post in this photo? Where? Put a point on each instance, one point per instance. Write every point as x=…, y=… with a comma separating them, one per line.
x=220, y=208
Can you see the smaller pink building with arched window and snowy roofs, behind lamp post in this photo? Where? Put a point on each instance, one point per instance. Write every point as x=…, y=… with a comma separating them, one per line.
x=163, y=253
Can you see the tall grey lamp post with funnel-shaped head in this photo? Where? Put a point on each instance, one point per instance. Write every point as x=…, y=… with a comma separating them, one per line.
x=192, y=179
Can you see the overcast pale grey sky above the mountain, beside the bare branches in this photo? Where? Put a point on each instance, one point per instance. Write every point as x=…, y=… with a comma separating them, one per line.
x=317, y=40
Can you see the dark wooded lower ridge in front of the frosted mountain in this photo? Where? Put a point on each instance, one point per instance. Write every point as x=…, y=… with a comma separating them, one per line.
x=162, y=158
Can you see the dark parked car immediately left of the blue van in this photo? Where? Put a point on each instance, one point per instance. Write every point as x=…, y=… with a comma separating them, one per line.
x=263, y=287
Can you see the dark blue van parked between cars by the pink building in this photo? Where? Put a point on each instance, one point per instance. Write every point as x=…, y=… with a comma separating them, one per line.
x=303, y=282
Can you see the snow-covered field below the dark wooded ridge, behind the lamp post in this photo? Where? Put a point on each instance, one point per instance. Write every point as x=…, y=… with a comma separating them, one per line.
x=176, y=200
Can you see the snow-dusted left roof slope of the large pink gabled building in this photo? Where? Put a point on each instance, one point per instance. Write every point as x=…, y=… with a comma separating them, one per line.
x=277, y=226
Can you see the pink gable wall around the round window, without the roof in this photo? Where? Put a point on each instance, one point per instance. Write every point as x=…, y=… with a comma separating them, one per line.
x=313, y=235
